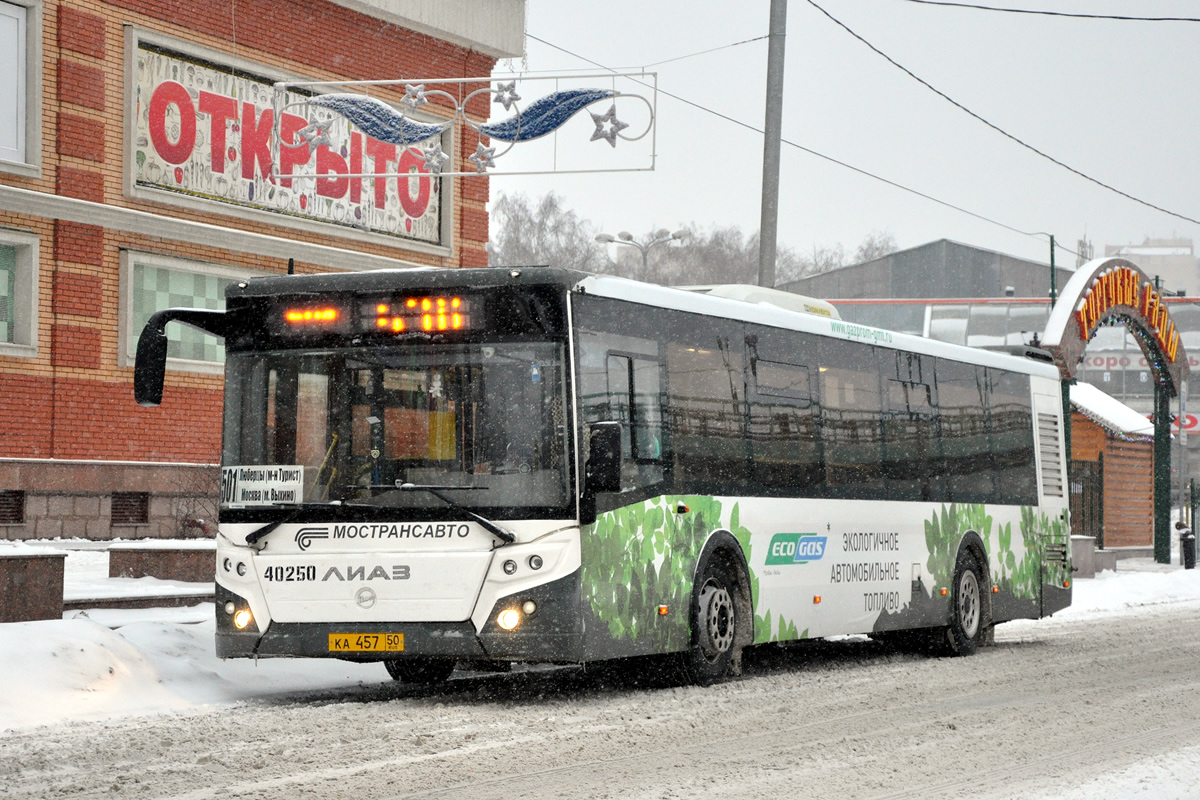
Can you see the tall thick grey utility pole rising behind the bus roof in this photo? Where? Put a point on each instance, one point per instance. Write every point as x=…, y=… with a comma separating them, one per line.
x=773, y=134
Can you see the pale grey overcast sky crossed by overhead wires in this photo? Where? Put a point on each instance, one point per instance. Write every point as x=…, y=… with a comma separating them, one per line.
x=1115, y=100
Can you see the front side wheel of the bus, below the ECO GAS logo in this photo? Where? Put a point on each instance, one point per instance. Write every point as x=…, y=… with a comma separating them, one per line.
x=715, y=623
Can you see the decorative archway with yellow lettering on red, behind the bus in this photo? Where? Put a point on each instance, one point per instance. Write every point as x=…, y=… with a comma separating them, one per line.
x=1109, y=291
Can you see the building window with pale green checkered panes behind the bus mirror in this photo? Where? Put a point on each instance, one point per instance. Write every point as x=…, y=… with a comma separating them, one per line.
x=154, y=284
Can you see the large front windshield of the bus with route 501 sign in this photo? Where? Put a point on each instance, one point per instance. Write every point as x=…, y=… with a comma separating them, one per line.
x=483, y=424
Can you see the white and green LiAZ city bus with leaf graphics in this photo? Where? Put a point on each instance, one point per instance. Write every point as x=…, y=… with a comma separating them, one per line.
x=483, y=467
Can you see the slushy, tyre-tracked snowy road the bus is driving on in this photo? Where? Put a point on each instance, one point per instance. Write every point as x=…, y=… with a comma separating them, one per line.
x=1055, y=705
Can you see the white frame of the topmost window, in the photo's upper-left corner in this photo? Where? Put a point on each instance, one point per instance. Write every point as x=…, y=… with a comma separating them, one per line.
x=27, y=159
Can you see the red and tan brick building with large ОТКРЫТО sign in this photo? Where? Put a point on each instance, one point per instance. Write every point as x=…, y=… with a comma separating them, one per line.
x=136, y=176
